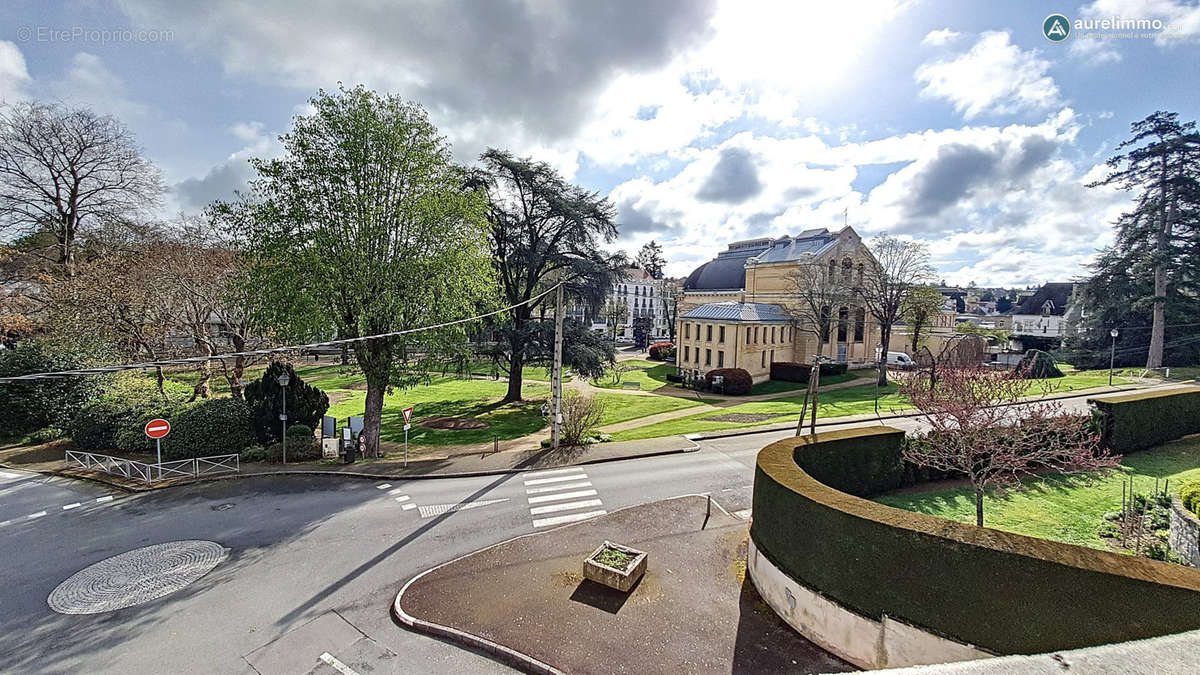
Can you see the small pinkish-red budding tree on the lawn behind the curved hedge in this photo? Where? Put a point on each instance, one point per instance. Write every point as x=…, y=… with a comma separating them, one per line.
x=980, y=432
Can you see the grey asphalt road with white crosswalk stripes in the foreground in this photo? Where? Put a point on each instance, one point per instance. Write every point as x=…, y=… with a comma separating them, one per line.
x=313, y=563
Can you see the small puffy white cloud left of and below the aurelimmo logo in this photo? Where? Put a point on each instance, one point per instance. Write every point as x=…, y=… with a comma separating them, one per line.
x=994, y=77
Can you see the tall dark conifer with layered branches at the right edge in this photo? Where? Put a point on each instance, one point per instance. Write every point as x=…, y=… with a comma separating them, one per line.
x=1154, y=267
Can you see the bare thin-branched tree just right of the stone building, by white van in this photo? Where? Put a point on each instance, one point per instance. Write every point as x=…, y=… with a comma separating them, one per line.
x=901, y=266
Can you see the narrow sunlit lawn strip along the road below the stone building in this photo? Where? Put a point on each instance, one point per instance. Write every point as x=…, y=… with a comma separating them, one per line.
x=839, y=403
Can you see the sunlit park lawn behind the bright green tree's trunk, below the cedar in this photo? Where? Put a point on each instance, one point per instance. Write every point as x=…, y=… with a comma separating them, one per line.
x=453, y=397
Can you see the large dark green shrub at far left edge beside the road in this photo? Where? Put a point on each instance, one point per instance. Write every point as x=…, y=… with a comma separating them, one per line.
x=27, y=407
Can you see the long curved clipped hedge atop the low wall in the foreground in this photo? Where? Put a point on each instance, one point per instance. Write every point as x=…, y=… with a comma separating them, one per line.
x=1004, y=593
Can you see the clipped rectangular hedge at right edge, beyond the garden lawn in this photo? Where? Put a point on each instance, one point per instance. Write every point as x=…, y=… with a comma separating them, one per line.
x=1144, y=420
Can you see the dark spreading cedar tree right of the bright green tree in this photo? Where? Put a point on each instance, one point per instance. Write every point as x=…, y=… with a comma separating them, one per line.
x=544, y=230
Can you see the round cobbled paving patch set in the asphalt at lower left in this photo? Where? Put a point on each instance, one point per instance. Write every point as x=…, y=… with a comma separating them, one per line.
x=136, y=577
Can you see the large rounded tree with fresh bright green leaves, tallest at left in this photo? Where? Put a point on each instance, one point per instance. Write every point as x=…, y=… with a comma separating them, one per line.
x=364, y=226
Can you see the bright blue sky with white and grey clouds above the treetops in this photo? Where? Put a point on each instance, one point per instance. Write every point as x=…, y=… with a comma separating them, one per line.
x=705, y=122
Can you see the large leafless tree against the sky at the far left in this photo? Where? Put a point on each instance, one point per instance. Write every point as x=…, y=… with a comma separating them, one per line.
x=68, y=170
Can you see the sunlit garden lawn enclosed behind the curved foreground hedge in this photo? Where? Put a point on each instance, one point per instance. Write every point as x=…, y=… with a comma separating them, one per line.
x=1064, y=509
